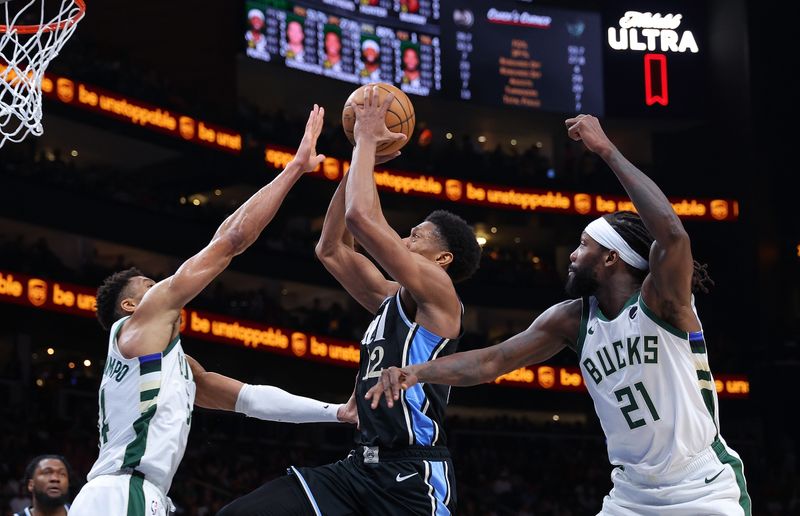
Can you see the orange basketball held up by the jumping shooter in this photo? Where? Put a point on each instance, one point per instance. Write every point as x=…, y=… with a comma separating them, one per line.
x=399, y=119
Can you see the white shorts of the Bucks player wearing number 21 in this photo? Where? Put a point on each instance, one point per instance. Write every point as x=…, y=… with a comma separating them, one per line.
x=713, y=484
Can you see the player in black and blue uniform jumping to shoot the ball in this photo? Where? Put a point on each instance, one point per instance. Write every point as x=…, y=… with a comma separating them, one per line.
x=402, y=465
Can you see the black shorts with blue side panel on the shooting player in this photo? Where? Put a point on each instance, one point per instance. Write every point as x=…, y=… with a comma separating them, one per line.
x=416, y=481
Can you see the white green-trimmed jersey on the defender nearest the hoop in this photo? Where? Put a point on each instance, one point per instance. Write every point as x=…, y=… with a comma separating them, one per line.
x=145, y=412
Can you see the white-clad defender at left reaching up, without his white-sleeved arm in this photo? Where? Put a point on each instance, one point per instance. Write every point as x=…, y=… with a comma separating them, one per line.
x=147, y=390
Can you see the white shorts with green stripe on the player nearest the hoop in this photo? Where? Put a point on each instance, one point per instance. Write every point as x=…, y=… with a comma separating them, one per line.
x=120, y=495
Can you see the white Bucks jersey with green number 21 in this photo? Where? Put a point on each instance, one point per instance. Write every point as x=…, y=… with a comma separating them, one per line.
x=651, y=386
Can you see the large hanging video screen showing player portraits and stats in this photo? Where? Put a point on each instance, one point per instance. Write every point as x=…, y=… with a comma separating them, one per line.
x=491, y=52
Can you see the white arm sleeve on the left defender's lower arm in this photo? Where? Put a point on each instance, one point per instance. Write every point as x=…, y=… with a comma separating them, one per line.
x=273, y=404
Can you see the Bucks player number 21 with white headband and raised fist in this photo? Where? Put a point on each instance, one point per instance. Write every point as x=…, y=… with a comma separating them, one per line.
x=641, y=350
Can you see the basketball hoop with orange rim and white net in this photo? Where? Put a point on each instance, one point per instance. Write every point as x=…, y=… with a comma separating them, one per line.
x=31, y=35
